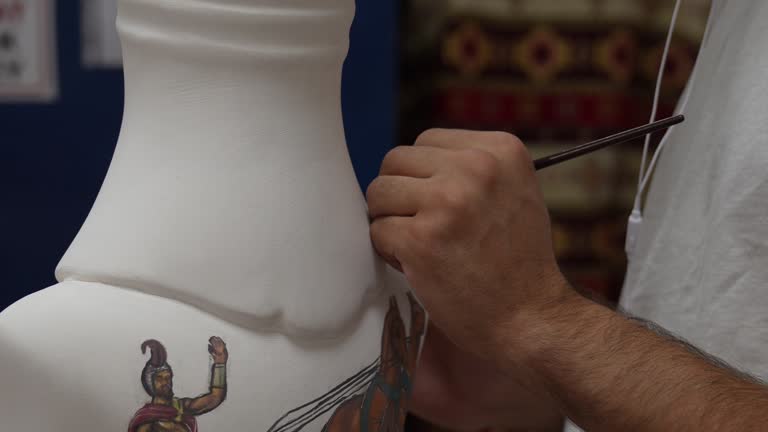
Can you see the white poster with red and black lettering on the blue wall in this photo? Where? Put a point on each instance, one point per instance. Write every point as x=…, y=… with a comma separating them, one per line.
x=28, y=62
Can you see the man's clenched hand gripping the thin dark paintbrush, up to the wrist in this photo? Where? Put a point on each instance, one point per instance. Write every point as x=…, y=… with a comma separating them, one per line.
x=461, y=214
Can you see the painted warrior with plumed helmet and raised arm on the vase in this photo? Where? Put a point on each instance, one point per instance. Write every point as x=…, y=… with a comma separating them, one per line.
x=166, y=413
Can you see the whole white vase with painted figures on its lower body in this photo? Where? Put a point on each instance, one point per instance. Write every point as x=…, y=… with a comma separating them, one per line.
x=224, y=279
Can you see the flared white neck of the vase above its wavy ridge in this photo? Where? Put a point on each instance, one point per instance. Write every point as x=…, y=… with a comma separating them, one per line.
x=231, y=187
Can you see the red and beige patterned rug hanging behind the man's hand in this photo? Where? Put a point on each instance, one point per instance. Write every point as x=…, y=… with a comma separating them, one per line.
x=556, y=74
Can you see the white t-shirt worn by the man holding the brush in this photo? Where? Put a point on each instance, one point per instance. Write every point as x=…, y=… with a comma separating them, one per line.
x=700, y=269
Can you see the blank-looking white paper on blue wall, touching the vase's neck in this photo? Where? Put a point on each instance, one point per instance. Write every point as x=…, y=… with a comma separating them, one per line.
x=101, y=46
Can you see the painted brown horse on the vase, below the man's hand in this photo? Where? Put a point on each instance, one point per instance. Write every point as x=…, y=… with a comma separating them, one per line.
x=384, y=405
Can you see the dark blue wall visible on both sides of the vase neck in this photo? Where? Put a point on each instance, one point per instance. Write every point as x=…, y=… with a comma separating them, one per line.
x=53, y=158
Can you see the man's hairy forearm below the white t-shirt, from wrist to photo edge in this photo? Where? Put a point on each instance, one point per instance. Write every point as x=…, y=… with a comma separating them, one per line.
x=613, y=373
